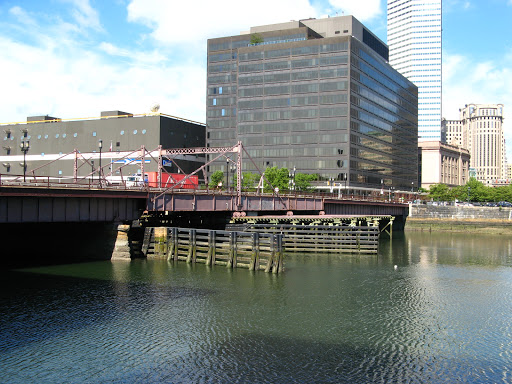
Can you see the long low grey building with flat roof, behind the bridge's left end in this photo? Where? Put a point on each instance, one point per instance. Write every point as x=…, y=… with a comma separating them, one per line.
x=51, y=137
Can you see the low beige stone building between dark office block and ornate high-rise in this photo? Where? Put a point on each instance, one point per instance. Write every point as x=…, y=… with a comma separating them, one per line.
x=443, y=163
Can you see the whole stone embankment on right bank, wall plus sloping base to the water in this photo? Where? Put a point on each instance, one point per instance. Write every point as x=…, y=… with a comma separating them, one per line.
x=493, y=220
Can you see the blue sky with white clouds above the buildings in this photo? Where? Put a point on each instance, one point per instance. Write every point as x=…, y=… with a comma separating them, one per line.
x=76, y=58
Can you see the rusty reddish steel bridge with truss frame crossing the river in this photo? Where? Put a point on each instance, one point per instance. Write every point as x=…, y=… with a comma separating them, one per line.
x=33, y=198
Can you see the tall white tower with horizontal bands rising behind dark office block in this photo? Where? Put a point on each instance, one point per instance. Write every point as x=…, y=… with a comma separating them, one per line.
x=415, y=41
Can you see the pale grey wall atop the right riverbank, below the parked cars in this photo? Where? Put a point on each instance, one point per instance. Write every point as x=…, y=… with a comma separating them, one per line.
x=459, y=213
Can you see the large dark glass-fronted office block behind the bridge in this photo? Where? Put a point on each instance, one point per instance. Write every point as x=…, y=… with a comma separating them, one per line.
x=317, y=95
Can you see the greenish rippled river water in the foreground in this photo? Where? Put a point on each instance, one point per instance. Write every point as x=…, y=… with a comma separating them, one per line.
x=444, y=315
